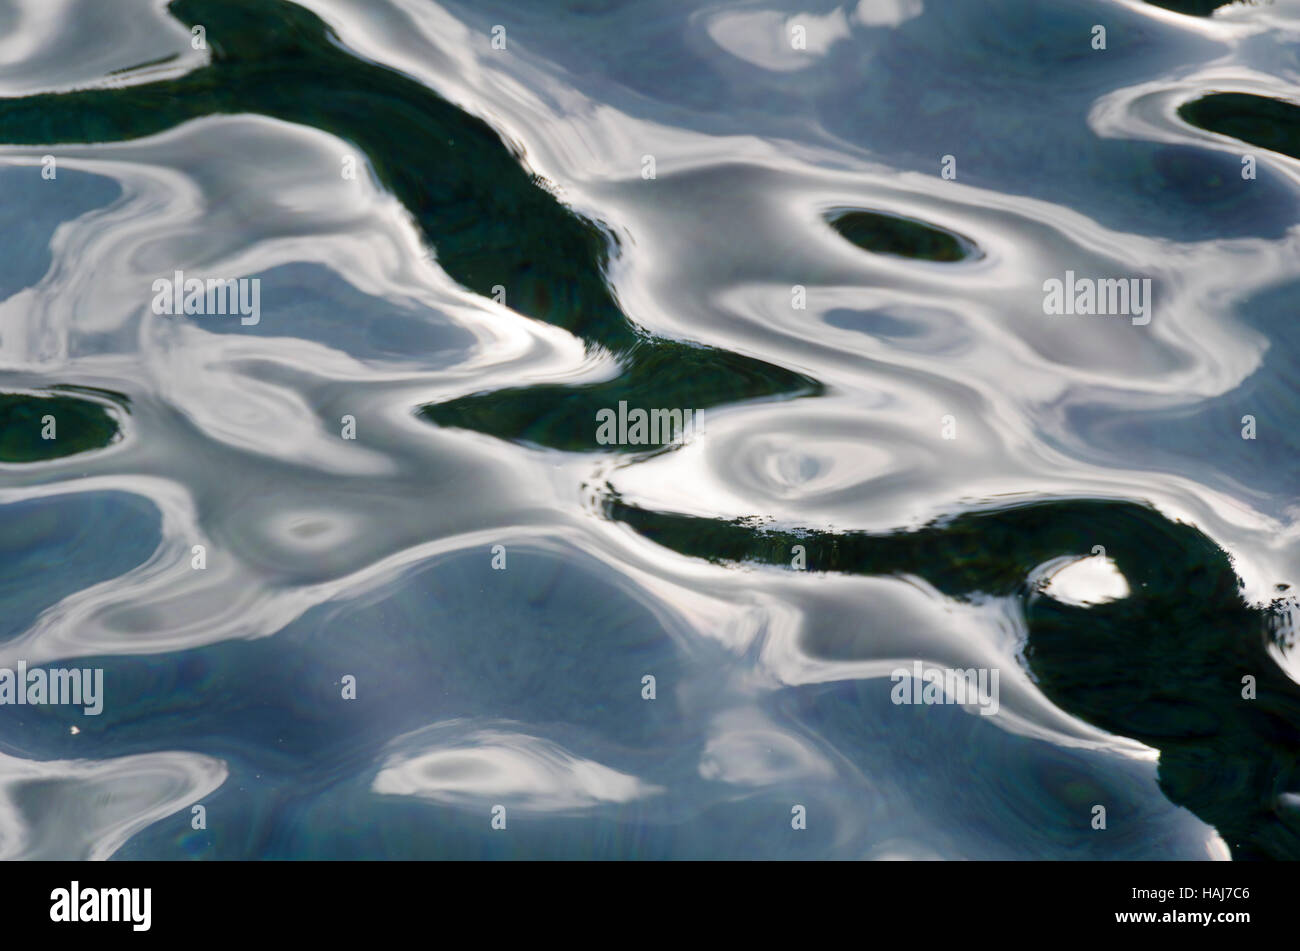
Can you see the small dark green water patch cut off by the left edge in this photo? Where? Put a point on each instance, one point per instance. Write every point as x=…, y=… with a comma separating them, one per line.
x=72, y=425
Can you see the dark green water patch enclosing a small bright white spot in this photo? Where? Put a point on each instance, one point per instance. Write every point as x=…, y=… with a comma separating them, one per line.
x=1163, y=666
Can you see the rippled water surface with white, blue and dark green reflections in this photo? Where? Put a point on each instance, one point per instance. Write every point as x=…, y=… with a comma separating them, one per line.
x=361, y=566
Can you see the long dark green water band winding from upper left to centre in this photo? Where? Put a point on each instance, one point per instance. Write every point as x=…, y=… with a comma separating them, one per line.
x=489, y=222
